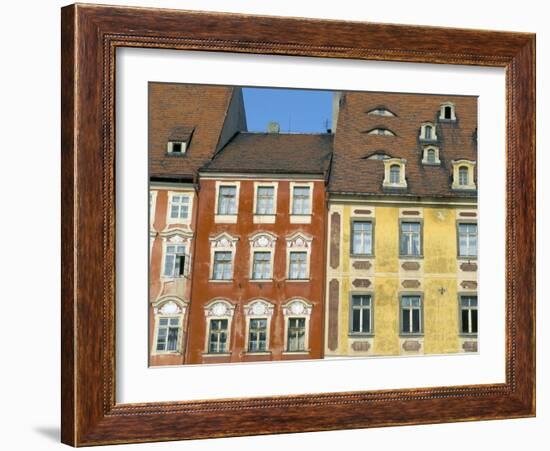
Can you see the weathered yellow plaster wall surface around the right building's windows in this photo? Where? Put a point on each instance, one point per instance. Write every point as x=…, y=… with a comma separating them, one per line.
x=438, y=277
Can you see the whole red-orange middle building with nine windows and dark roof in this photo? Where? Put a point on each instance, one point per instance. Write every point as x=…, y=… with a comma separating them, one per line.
x=257, y=284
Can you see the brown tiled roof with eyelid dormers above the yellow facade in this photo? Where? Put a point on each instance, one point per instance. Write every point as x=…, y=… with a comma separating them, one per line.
x=352, y=172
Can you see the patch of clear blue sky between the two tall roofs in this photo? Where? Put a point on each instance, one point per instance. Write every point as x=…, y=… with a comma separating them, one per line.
x=296, y=110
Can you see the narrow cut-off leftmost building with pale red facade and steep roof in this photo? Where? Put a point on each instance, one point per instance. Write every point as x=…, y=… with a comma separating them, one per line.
x=187, y=125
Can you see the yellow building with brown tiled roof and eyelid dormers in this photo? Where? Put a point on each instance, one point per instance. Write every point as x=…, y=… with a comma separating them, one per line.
x=402, y=226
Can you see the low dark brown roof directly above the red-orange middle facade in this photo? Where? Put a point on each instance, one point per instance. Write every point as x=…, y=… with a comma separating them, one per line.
x=274, y=153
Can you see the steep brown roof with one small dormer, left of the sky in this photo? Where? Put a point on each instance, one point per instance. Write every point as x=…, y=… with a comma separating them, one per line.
x=194, y=113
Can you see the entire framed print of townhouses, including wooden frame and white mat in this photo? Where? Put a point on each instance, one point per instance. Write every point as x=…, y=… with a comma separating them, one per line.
x=248, y=249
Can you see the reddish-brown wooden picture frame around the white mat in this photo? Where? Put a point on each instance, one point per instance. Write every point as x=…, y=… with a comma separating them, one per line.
x=90, y=36
